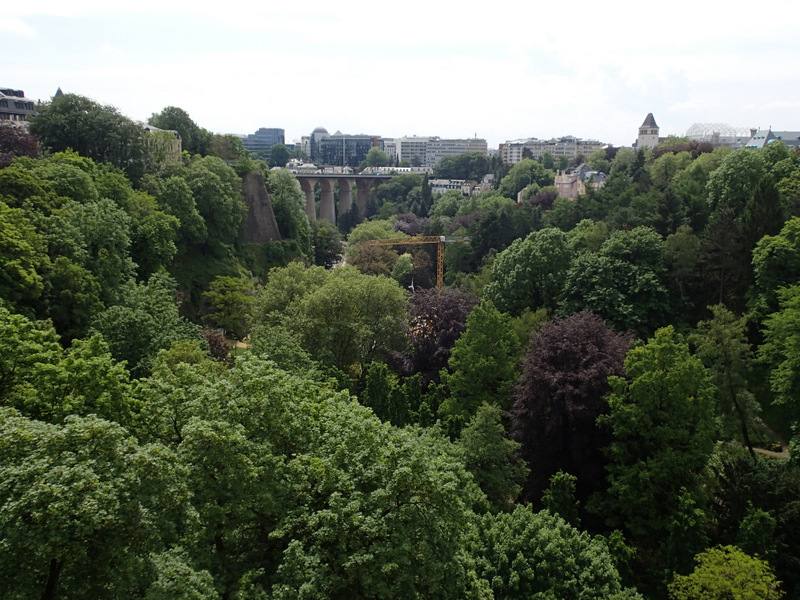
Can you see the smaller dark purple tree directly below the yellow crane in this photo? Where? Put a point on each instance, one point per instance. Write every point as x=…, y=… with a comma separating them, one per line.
x=438, y=318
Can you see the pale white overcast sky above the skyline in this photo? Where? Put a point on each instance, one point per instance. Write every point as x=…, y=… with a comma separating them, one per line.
x=500, y=70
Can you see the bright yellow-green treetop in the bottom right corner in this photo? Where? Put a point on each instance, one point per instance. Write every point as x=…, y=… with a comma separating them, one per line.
x=726, y=572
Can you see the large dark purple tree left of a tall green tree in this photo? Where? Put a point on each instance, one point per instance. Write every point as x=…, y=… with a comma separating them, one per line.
x=559, y=397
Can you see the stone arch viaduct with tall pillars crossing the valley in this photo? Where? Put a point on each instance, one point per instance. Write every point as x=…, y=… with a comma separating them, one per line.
x=328, y=210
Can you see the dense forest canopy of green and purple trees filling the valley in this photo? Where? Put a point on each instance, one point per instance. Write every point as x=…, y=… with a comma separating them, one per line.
x=600, y=403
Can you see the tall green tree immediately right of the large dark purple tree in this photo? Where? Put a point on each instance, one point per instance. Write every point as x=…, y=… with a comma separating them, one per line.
x=662, y=421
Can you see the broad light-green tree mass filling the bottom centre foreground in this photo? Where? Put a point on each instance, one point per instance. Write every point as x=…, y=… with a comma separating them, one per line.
x=300, y=492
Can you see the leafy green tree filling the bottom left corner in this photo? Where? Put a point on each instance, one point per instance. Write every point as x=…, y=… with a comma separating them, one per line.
x=79, y=507
